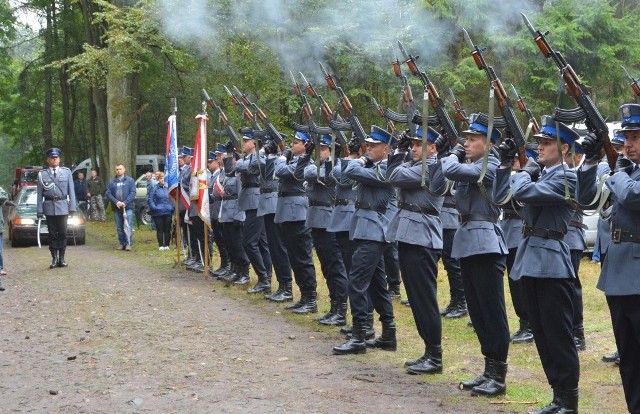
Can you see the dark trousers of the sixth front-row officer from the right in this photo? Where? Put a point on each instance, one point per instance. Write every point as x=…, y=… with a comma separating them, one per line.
x=331, y=264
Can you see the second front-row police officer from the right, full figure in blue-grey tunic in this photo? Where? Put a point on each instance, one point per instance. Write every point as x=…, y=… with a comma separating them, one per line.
x=543, y=260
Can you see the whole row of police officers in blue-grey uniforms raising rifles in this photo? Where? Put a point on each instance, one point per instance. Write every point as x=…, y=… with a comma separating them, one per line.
x=270, y=207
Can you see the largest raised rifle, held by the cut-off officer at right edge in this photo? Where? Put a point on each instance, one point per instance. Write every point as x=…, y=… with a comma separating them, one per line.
x=586, y=108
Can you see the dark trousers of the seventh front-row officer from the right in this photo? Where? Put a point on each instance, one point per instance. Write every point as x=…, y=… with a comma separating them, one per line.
x=297, y=239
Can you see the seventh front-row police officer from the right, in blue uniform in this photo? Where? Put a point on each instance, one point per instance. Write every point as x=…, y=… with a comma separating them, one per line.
x=291, y=214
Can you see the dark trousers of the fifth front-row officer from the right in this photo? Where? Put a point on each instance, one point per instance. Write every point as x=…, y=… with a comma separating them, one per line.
x=367, y=277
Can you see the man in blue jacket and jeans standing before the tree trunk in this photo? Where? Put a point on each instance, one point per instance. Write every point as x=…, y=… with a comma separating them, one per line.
x=121, y=192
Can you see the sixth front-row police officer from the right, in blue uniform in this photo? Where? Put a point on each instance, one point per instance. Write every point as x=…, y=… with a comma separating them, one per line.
x=321, y=195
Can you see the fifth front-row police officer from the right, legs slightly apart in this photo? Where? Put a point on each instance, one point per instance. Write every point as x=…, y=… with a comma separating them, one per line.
x=367, y=280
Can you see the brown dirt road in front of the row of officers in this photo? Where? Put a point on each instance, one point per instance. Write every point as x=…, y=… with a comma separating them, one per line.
x=110, y=334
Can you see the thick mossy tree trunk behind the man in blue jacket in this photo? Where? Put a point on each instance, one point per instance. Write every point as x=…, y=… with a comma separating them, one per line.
x=122, y=90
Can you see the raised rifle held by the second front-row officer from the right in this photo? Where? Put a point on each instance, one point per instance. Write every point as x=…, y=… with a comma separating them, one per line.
x=506, y=107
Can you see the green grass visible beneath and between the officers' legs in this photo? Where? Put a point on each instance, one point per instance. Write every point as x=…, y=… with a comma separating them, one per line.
x=527, y=387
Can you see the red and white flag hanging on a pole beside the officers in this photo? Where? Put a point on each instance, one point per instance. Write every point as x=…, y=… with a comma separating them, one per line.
x=199, y=189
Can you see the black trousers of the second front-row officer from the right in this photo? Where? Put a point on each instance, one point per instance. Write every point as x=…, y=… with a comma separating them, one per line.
x=550, y=308
